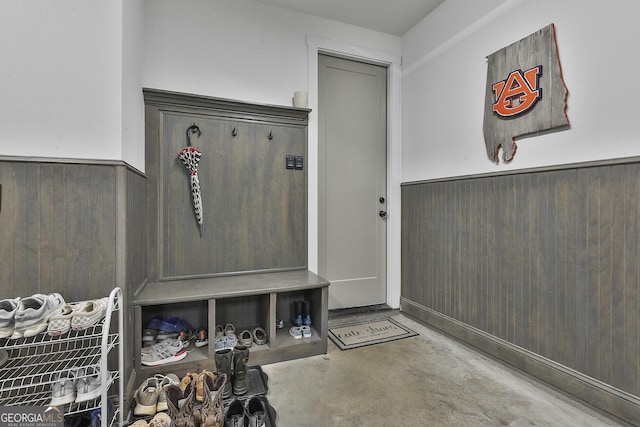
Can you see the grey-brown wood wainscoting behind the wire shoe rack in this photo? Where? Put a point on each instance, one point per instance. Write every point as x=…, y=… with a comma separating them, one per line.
x=76, y=227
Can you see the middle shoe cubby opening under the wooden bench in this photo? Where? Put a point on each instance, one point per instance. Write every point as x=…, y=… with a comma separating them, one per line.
x=244, y=313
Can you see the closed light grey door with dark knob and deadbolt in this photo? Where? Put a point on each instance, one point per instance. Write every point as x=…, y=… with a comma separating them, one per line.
x=352, y=139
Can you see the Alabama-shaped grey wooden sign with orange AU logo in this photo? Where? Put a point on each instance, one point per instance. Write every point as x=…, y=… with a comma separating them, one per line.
x=525, y=93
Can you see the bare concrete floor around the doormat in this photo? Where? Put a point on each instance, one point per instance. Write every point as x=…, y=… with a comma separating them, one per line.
x=428, y=380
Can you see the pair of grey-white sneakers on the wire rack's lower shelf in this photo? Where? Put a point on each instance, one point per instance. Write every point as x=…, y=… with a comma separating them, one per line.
x=77, y=385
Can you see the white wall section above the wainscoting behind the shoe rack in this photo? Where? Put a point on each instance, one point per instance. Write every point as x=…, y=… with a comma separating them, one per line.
x=61, y=78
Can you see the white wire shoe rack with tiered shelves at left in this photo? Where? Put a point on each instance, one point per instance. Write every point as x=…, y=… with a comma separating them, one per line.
x=35, y=363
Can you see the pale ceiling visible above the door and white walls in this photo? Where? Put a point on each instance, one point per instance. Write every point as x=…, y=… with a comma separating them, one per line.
x=388, y=16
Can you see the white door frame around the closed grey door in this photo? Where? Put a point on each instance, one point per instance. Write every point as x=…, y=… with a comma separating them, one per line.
x=315, y=46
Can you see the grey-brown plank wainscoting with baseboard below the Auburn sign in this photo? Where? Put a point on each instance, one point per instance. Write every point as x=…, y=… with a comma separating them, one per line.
x=540, y=269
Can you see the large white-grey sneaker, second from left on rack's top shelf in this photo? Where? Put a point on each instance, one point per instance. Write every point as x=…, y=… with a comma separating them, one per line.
x=34, y=312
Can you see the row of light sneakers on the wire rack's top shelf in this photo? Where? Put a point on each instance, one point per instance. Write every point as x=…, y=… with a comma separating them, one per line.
x=27, y=317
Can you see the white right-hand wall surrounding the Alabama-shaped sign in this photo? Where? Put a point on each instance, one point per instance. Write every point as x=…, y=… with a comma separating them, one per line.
x=444, y=77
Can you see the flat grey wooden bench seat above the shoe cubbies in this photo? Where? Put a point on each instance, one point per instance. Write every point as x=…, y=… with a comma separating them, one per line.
x=197, y=289
